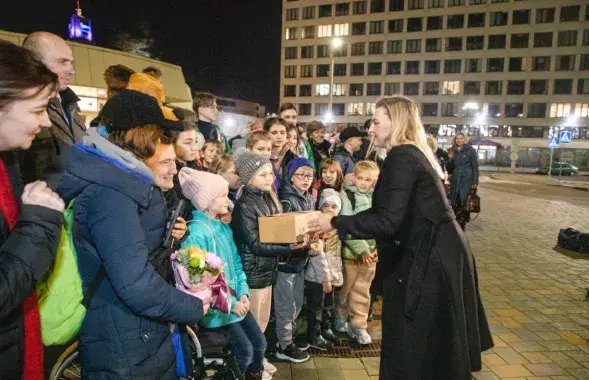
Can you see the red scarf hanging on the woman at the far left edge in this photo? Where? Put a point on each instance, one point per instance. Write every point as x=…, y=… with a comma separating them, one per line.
x=33, y=344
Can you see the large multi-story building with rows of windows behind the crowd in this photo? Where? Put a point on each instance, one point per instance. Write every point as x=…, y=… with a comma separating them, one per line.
x=508, y=73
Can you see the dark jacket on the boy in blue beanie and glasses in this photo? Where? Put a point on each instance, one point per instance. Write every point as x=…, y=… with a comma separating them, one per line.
x=292, y=201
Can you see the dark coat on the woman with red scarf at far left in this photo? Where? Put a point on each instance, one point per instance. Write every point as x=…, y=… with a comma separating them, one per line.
x=25, y=255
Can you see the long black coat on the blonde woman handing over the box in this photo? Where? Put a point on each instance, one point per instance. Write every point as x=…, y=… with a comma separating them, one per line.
x=434, y=324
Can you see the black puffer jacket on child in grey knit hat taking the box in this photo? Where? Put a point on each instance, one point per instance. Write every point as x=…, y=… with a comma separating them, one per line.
x=260, y=260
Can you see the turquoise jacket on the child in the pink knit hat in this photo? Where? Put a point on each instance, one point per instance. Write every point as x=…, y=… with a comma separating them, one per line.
x=215, y=236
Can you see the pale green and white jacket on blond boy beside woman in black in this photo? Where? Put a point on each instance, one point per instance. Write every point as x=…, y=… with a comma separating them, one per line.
x=354, y=249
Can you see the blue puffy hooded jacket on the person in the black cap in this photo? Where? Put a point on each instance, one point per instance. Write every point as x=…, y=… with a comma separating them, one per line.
x=120, y=218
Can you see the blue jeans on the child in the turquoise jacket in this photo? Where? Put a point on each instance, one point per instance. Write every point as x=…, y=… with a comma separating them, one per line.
x=247, y=343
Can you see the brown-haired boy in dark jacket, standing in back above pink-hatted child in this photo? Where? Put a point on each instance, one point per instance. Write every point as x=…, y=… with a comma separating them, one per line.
x=205, y=106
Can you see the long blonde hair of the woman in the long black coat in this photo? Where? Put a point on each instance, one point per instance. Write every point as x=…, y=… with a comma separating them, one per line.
x=406, y=127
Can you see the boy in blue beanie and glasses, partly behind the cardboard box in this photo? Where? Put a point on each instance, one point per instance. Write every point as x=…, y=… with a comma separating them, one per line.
x=290, y=284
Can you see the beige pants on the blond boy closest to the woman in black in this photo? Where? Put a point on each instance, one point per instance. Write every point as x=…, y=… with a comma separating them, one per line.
x=354, y=295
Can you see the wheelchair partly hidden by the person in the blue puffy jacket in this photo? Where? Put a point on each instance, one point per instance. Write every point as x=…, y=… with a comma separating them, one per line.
x=211, y=358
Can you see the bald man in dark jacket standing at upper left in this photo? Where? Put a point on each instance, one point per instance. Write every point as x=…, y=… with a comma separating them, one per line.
x=46, y=157
